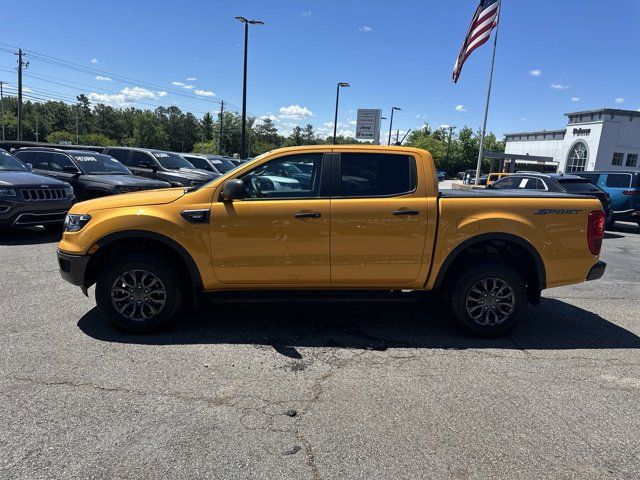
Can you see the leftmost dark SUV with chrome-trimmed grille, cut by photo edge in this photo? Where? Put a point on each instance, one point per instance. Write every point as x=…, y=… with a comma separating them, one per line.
x=30, y=199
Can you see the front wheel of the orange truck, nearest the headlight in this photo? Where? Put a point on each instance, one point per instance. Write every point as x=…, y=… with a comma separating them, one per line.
x=138, y=293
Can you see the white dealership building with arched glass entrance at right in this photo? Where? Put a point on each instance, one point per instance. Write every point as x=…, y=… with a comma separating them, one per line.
x=605, y=139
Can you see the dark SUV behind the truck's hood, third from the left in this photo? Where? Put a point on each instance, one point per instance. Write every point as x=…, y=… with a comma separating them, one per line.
x=159, y=165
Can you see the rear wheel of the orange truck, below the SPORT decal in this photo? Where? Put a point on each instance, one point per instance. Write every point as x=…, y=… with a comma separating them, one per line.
x=489, y=299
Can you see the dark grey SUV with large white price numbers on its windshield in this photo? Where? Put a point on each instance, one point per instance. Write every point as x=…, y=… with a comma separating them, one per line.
x=91, y=174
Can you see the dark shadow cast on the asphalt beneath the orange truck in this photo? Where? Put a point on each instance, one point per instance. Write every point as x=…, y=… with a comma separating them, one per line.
x=378, y=326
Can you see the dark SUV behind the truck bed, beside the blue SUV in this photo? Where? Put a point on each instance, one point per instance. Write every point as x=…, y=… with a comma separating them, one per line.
x=555, y=182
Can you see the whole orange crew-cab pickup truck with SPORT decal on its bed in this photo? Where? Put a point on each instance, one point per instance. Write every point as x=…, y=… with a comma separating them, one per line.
x=368, y=220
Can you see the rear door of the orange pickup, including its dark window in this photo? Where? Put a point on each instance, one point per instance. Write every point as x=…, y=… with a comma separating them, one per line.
x=378, y=218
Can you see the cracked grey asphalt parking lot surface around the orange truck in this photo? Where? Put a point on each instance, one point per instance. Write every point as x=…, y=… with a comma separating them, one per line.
x=304, y=391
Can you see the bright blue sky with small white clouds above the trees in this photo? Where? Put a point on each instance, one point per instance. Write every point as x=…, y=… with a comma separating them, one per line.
x=554, y=56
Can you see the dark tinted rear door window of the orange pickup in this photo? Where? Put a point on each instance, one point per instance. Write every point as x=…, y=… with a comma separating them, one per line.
x=376, y=175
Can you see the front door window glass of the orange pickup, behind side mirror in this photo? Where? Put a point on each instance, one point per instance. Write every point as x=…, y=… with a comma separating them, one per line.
x=293, y=176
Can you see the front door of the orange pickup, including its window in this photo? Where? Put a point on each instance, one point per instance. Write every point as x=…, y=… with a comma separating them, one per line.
x=279, y=234
